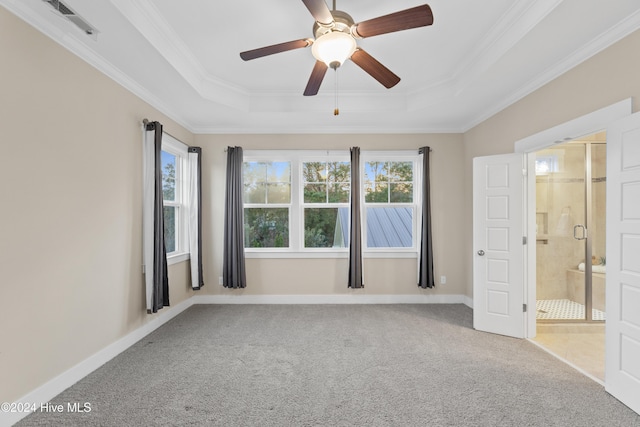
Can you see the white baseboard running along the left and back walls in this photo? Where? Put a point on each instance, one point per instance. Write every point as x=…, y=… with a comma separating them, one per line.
x=57, y=385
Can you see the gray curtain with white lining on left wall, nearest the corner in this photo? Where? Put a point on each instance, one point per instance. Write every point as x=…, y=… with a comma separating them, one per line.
x=195, y=216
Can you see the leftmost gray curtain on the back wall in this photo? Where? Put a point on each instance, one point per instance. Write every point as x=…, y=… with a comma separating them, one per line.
x=233, y=268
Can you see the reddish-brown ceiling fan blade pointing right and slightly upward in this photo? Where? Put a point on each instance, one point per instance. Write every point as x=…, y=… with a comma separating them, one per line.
x=419, y=16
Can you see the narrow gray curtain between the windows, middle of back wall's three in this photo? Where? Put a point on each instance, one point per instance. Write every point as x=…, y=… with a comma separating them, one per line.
x=355, y=232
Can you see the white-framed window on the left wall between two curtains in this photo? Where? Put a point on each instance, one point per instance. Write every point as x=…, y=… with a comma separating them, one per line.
x=174, y=168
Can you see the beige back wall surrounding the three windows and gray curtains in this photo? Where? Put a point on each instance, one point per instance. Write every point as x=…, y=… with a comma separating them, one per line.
x=329, y=276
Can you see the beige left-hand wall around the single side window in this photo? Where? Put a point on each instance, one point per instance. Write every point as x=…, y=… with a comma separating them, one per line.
x=70, y=250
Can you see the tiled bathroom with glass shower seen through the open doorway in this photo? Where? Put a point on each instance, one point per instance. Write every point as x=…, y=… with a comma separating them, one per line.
x=570, y=250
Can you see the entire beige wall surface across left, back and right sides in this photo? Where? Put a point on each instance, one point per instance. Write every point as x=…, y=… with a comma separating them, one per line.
x=70, y=254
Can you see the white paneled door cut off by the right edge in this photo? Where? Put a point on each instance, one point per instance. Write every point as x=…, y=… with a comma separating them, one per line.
x=622, y=375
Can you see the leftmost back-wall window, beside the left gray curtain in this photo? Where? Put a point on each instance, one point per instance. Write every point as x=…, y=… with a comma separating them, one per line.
x=267, y=203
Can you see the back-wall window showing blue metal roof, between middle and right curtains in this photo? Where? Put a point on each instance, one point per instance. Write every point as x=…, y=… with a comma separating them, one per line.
x=390, y=203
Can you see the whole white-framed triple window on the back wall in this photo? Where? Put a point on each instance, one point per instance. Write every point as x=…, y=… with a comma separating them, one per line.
x=297, y=202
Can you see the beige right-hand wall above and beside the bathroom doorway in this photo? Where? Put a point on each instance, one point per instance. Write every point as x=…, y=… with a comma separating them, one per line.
x=604, y=79
